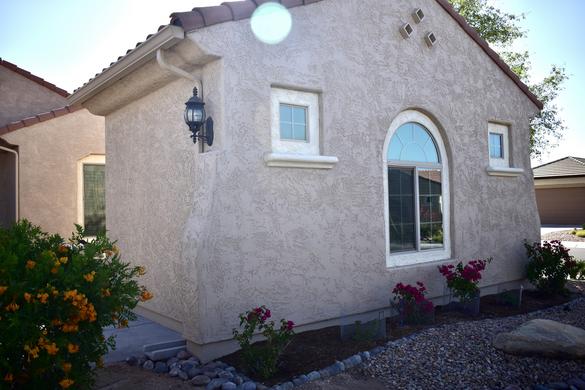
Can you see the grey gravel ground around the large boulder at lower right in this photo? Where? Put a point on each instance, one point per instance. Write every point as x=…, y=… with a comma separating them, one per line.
x=461, y=356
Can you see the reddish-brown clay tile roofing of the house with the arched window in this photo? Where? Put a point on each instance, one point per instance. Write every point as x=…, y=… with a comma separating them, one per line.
x=200, y=17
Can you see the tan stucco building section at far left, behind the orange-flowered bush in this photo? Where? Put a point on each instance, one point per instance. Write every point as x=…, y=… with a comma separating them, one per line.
x=52, y=156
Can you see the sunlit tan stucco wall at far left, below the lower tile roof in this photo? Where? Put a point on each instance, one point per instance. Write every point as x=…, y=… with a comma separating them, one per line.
x=48, y=154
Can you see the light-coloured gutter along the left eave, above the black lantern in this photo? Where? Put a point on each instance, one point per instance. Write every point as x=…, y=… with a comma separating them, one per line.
x=167, y=37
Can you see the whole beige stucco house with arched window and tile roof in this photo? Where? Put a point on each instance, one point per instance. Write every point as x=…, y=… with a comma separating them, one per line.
x=347, y=158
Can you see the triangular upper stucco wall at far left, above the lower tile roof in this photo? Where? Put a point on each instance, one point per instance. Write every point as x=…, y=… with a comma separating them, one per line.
x=21, y=97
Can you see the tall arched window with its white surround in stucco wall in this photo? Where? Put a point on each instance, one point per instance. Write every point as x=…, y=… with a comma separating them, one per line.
x=417, y=191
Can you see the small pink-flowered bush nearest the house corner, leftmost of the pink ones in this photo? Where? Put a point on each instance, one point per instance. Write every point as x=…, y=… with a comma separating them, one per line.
x=261, y=359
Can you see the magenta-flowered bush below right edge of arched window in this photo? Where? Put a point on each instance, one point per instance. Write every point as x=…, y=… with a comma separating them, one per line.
x=463, y=279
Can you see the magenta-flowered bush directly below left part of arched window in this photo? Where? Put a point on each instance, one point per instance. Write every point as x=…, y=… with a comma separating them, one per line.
x=412, y=305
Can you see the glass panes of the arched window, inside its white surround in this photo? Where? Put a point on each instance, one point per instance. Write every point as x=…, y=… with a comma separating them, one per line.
x=415, y=190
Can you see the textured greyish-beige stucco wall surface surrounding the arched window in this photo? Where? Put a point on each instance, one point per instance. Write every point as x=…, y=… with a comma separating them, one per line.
x=222, y=232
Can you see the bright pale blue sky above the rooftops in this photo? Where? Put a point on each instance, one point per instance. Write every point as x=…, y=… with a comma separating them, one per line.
x=67, y=41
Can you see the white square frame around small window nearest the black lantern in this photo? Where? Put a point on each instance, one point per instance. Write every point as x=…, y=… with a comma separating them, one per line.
x=308, y=100
